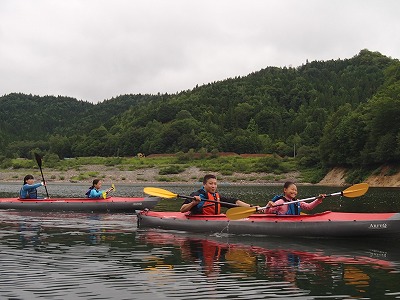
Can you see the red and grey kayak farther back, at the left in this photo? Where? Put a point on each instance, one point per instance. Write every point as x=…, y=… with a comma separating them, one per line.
x=111, y=204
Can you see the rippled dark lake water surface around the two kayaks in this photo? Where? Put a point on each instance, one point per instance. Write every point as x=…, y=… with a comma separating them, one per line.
x=105, y=256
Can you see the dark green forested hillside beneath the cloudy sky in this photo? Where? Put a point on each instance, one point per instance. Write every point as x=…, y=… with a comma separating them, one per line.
x=337, y=112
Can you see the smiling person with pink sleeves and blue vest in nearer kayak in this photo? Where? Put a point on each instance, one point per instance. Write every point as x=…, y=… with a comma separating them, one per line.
x=277, y=204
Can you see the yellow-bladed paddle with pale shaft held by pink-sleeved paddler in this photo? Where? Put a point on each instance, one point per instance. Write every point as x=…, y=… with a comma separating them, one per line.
x=237, y=213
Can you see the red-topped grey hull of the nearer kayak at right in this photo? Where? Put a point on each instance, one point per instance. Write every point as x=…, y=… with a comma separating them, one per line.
x=327, y=224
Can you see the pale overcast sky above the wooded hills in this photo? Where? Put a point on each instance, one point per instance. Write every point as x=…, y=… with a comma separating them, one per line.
x=94, y=50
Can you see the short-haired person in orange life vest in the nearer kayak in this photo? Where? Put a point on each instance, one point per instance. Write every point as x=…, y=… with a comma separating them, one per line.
x=199, y=204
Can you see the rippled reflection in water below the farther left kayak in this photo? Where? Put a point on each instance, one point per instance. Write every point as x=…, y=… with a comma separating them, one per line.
x=39, y=230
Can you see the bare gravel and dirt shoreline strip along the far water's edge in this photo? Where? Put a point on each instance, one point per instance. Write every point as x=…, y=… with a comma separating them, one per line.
x=192, y=175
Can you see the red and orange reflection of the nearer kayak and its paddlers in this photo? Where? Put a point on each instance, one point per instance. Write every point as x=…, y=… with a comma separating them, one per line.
x=291, y=264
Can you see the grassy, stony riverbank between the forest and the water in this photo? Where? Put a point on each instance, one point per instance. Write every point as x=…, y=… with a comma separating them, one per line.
x=181, y=167
